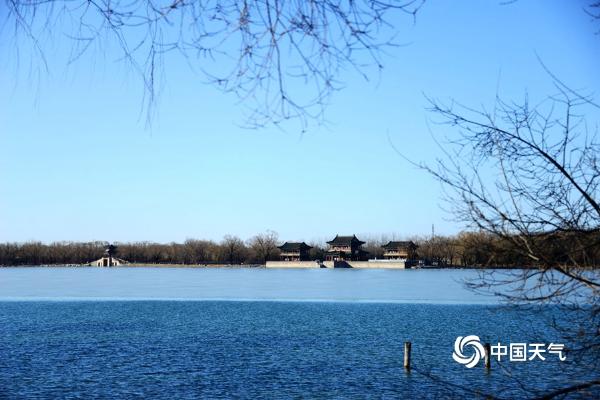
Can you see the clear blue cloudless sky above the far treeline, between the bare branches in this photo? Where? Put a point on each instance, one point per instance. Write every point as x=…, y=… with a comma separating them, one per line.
x=77, y=162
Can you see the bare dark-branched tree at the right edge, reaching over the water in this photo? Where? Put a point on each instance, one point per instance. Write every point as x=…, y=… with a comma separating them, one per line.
x=528, y=176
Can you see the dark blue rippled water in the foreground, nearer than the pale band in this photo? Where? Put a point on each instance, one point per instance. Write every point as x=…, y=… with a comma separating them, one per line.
x=262, y=349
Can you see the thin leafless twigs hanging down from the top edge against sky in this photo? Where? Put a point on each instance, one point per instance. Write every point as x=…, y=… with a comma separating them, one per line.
x=261, y=50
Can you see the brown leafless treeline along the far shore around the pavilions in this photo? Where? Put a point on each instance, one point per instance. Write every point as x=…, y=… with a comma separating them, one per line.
x=466, y=249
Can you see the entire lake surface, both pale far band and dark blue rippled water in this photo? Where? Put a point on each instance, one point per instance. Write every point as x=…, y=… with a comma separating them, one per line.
x=255, y=333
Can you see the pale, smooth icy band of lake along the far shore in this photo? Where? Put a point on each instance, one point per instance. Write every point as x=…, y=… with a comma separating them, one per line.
x=411, y=286
